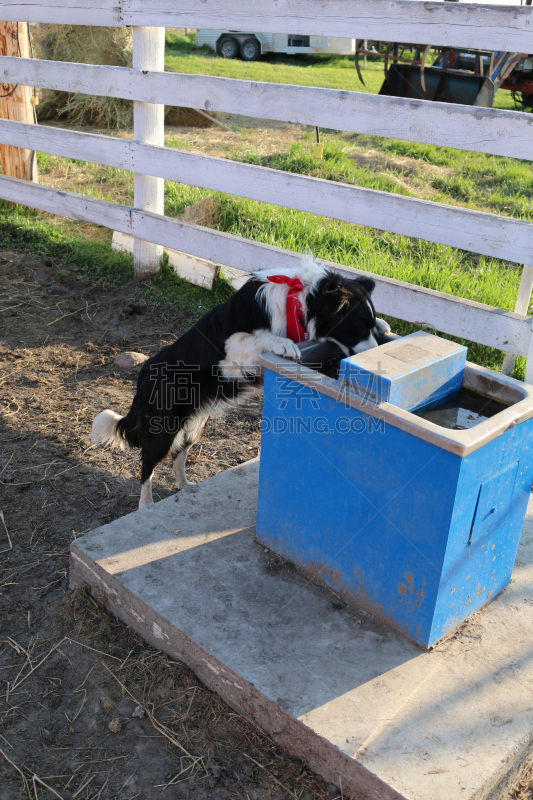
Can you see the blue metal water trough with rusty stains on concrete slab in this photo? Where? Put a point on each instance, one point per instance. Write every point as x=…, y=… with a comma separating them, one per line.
x=385, y=487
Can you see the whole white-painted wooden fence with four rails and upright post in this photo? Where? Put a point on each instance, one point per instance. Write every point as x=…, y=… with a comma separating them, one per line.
x=504, y=133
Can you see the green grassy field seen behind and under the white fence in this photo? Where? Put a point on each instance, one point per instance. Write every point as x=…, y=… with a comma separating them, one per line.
x=477, y=181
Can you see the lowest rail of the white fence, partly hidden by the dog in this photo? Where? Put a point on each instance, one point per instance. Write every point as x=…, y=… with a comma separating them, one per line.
x=504, y=330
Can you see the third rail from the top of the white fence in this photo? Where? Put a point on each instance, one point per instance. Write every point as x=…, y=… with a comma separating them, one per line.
x=476, y=231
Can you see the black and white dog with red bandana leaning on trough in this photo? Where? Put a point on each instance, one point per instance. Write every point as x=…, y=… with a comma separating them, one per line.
x=216, y=362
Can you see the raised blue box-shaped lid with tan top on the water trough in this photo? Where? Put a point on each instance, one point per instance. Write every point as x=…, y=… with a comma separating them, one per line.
x=413, y=372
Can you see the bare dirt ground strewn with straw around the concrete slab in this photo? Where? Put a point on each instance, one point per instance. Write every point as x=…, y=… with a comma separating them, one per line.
x=86, y=709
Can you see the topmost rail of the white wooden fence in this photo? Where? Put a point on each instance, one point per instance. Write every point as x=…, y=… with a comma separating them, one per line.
x=491, y=27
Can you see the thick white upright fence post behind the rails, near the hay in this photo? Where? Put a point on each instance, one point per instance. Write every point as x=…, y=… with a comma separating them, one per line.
x=148, y=128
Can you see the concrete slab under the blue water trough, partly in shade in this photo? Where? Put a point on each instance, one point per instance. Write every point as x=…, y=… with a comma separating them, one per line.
x=360, y=705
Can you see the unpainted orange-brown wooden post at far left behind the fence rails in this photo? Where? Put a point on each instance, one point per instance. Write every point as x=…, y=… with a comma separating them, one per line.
x=16, y=103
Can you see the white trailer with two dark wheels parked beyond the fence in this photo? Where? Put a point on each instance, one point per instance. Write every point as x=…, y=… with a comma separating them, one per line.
x=249, y=46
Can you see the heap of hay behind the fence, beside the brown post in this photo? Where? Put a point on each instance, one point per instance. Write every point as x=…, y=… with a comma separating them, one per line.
x=90, y=45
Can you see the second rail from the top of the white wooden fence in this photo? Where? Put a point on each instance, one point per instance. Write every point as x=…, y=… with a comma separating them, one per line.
x=483, y=130
